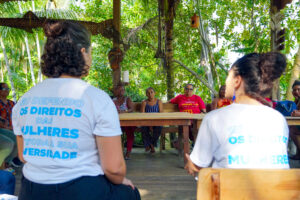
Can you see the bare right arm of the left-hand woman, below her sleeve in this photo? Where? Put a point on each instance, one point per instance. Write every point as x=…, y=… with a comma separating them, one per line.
x=111, y=156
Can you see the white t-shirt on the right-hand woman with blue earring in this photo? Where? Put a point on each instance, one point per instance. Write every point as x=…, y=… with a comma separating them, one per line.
x=242, y=136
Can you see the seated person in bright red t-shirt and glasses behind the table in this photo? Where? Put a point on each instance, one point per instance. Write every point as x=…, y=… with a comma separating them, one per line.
x=188, y=102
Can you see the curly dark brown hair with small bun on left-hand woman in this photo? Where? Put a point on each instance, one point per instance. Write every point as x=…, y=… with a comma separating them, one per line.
x=62, y=51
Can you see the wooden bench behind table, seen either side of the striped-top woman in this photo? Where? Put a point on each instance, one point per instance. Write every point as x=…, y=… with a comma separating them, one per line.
x=167, y=107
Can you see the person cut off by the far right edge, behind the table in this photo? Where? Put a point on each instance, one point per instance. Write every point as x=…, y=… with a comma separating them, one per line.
x=295, y=130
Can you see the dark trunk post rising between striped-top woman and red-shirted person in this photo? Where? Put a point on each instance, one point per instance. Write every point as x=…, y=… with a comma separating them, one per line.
x=169, y=23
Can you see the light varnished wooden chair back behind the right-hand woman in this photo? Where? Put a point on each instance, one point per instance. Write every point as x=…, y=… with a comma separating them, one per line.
x=248, y=184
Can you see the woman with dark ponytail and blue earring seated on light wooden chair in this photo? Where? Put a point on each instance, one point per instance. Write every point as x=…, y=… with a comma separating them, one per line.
x=245, y=134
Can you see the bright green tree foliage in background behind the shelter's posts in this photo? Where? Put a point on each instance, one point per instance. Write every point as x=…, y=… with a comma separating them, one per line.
x=238, y=26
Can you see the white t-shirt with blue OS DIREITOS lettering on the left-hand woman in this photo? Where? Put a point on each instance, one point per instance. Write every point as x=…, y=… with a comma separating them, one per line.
x=58, y=120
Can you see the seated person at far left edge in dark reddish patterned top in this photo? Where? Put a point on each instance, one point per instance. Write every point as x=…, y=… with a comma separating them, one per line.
x=6, y=128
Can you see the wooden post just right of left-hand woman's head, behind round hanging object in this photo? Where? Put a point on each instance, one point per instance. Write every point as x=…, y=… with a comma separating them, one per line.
x=117, y=24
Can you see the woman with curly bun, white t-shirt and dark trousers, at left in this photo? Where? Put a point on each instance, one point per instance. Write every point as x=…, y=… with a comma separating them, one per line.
x=68, y=131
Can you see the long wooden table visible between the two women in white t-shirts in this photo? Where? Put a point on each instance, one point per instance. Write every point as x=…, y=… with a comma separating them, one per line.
x=163, y=119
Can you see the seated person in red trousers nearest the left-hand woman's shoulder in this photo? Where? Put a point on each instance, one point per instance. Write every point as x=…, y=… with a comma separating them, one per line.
x=124, y=105
